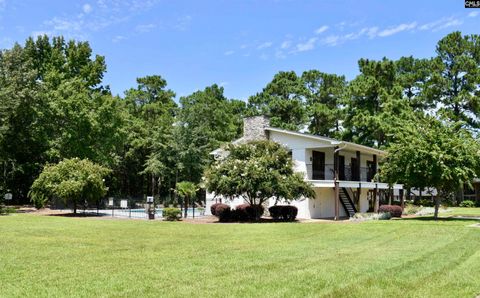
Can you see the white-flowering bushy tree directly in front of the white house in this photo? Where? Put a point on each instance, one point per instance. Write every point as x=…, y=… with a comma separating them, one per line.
x=257, y=171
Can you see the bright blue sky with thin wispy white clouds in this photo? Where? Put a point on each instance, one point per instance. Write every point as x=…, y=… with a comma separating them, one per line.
x=237, y=44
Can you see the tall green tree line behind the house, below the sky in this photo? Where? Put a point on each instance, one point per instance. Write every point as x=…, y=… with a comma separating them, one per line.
x=54, y=106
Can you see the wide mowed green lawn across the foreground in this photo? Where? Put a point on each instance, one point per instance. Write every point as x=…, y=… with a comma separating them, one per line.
x=44, y=256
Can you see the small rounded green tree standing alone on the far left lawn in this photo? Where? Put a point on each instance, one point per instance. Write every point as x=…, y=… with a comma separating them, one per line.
x=71, y=180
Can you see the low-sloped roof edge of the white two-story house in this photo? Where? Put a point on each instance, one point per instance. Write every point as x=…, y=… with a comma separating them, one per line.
x=332, y=142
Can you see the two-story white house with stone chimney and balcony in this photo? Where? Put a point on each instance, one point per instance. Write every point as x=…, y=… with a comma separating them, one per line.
x=341, y=173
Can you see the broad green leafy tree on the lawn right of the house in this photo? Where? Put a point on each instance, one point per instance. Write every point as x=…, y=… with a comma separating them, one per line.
x=433, y=153
